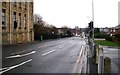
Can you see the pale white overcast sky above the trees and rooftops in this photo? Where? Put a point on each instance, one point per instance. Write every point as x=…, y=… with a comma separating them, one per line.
x=73, y=13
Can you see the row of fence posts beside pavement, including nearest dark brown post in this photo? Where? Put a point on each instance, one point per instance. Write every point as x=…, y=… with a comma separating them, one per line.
x=96, y=51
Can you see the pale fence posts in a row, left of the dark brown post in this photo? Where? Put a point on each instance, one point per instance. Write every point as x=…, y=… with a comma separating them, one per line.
x=97, y=53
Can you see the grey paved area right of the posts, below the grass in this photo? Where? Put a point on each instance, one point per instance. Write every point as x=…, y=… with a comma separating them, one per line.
x=113, y=53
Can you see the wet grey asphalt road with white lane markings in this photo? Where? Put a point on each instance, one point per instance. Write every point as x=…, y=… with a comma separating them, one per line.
x=54, y=56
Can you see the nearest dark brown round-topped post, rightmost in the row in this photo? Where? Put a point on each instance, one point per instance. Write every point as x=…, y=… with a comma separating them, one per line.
x=107, y=65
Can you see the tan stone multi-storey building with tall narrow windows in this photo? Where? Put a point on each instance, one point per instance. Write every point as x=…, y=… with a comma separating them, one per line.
x=17, y=21
